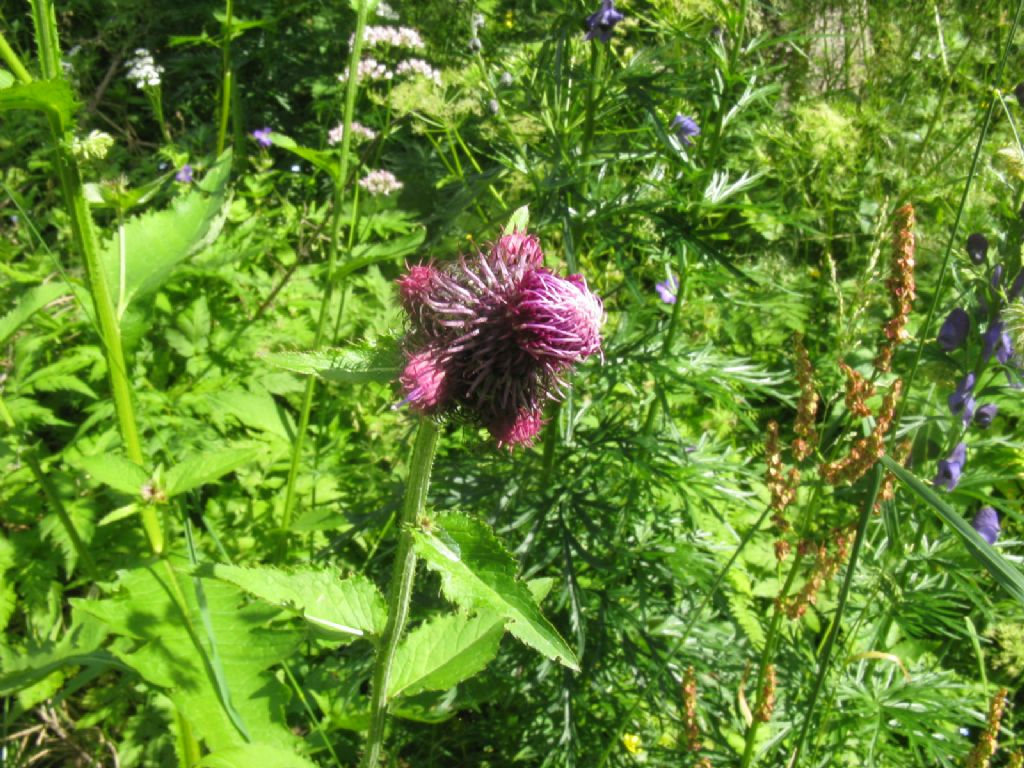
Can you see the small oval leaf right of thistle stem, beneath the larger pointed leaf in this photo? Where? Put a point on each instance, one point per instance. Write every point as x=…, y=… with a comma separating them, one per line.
x=444, y=652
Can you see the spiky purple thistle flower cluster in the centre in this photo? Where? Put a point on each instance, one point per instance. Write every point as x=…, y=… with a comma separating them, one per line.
x=492, y=335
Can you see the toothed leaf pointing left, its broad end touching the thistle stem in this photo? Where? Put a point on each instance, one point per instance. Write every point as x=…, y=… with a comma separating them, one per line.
x=352, y=607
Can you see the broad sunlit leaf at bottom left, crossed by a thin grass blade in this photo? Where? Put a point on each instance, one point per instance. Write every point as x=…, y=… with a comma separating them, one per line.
x=155, y=642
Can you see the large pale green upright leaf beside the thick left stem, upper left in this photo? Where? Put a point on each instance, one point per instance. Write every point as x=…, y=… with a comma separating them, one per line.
x=156, y=243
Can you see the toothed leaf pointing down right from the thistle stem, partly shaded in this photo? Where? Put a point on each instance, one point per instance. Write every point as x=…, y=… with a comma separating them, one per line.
x=479, y=575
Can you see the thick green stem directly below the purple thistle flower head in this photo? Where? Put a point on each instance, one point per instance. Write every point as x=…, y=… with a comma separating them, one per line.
x=402, y=584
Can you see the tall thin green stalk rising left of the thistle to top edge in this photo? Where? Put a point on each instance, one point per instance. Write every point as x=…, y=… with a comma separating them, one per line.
x=339, y=197
